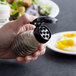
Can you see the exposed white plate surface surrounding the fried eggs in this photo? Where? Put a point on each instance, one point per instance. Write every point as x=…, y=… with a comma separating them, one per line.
x=52, y=43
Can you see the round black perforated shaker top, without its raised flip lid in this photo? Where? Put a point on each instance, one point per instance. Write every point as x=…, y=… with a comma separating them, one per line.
x=42, y=33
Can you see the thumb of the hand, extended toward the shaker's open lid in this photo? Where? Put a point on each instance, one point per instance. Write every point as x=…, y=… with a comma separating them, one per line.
x=24, y=19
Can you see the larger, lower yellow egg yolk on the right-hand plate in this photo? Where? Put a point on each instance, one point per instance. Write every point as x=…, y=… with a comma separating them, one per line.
x=65, y=44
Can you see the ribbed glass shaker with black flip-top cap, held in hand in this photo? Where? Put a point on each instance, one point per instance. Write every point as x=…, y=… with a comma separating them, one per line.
x=27, y=43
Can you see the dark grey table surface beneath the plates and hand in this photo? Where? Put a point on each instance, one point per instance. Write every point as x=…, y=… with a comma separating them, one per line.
x=52, y=63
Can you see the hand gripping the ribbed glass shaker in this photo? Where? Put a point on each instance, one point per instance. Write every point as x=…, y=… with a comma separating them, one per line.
x=8, y=33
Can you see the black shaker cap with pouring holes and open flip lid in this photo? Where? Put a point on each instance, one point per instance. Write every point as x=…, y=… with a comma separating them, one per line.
x=42, y=31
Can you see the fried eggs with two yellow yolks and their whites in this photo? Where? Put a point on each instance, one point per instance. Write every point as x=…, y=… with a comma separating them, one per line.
x=67, y=42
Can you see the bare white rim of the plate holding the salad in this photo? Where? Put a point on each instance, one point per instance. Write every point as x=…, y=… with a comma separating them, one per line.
x=55, y=8
